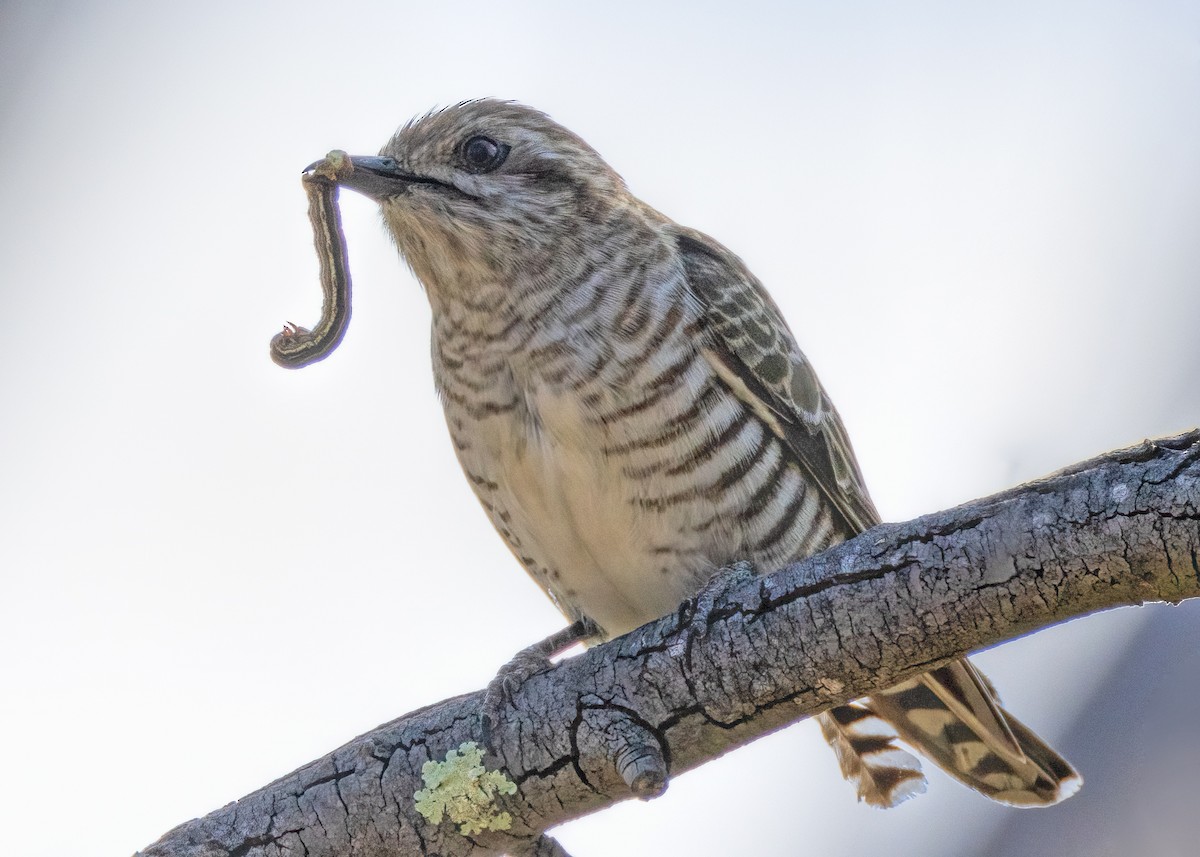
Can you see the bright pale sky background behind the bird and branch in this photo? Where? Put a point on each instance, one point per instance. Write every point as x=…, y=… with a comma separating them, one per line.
x=982, y=221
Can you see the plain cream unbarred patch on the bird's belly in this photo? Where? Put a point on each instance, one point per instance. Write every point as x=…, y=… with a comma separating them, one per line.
x=571, y=516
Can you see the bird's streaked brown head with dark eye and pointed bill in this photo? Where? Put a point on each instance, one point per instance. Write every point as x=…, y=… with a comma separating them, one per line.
x=482, y=191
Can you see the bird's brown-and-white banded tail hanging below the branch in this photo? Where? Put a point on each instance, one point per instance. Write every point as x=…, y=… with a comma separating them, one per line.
x=952, y=717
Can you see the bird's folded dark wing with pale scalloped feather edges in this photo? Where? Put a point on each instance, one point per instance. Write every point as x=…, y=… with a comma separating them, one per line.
x=753, y=350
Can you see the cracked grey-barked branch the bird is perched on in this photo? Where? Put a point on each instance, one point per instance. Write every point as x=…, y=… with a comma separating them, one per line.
x=615, y=722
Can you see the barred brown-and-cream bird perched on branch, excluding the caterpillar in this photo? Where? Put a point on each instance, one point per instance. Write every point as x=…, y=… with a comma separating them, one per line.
x=635, y=416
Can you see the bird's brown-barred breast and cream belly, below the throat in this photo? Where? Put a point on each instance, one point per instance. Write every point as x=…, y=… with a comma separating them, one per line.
x=609, y=452
